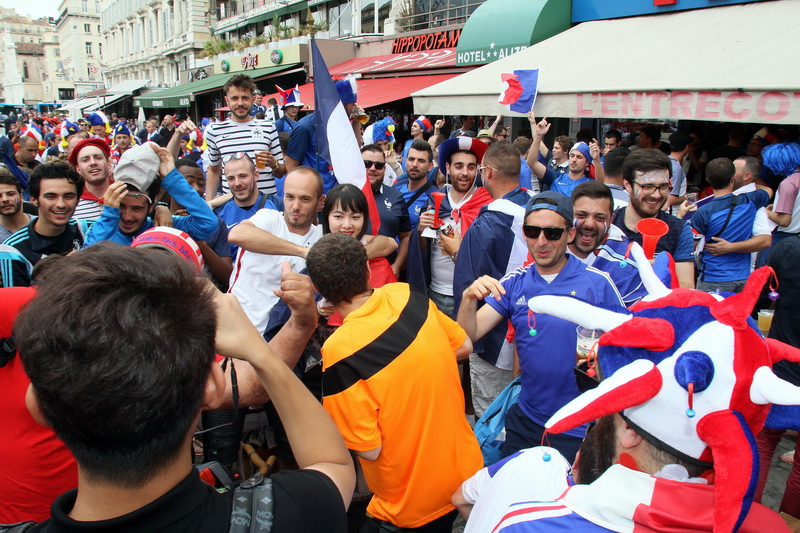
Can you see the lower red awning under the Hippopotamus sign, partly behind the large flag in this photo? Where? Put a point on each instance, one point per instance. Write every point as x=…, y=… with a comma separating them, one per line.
x=378, y=91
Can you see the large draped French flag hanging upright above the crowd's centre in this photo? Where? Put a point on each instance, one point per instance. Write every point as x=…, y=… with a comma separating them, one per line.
x=336, y=141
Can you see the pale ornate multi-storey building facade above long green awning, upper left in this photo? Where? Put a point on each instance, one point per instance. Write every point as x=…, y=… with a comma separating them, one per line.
x=152, y=39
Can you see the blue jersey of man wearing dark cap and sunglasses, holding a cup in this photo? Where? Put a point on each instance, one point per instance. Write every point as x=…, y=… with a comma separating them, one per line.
x=547, y=358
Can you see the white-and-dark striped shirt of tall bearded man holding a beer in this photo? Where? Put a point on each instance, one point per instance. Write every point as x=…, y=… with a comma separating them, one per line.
x=228, y=137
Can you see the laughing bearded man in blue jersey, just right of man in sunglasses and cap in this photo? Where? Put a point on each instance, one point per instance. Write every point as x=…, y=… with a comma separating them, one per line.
x=602, y=245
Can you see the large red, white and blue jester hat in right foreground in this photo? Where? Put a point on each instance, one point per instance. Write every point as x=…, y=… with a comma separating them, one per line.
x=692, y=374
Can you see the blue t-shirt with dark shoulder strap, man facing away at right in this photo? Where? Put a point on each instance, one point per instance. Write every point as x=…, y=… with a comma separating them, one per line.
x=709, y=220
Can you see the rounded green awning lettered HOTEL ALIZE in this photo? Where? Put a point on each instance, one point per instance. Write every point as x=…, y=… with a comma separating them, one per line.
x=523, y=23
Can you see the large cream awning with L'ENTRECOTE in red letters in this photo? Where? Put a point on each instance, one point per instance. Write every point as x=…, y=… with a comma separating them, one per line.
x=716, y=75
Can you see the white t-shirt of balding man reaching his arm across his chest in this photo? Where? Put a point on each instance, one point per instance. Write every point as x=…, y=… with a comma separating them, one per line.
x=255, y=275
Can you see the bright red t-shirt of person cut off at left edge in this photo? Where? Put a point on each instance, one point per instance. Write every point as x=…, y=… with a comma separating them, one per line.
x=35, y=466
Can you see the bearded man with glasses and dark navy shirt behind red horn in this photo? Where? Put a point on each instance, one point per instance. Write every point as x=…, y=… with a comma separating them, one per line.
x=647, y=179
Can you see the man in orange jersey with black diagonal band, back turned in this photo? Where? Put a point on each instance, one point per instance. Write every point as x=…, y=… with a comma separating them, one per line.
x=390, y=382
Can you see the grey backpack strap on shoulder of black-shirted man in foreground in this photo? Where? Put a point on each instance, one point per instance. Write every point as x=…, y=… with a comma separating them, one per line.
x=253, y=506
